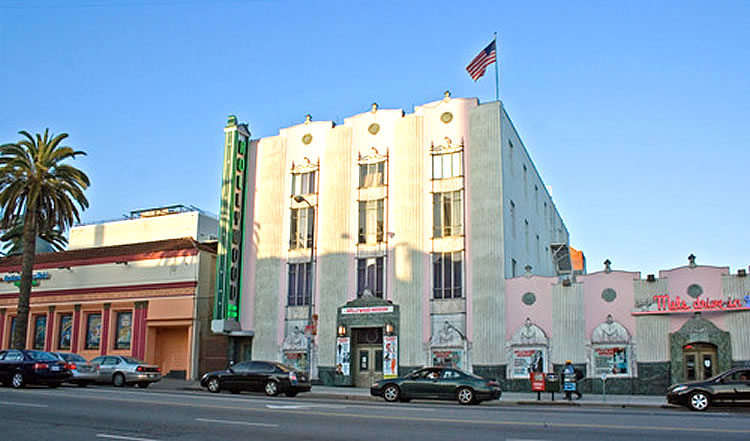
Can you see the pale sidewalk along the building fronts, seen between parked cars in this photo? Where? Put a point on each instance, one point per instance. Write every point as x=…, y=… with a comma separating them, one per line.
x=508, y=398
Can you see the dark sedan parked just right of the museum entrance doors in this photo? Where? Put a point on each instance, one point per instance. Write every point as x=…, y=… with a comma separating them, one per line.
x=439, y=383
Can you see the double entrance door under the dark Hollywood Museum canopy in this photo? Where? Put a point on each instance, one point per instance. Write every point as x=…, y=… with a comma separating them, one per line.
x=367, y=356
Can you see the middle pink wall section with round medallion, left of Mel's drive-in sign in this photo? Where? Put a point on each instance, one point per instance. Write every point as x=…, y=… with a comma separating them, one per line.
x=596, y=308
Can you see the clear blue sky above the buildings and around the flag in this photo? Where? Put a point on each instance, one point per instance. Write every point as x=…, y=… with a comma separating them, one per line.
x=637, y=114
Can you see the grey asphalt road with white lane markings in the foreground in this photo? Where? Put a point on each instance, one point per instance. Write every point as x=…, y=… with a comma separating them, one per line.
x=106, y=413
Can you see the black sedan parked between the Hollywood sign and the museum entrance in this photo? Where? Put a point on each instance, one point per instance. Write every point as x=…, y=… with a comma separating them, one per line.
x=268, y=376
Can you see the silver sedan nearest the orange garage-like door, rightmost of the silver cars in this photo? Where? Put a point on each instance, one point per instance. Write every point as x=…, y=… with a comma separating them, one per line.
x=120, y=370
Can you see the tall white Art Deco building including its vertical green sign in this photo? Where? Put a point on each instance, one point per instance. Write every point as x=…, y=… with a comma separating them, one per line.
x=383, y=244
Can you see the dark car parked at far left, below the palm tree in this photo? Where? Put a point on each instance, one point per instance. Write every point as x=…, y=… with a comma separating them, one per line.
x=21, y=367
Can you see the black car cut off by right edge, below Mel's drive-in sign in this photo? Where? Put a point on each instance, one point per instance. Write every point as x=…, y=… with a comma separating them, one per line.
x=729, y=387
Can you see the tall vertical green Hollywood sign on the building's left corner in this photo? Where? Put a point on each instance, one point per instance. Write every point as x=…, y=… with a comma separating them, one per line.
x=231, y=221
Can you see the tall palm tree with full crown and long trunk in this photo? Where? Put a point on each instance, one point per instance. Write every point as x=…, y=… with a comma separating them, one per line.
x=38, y=190
